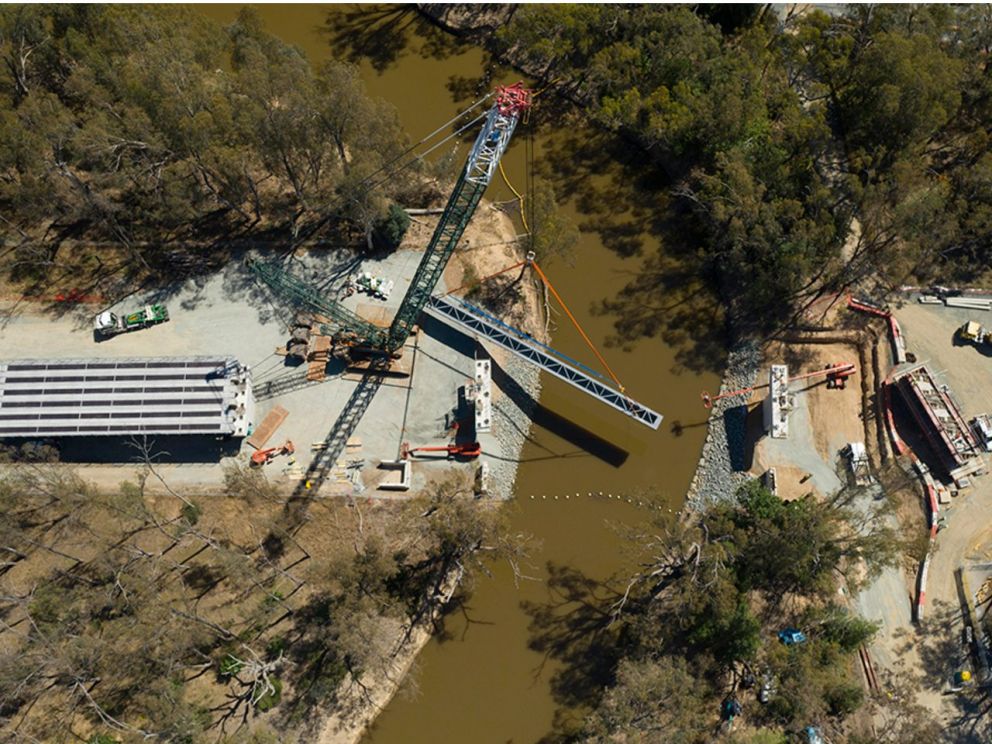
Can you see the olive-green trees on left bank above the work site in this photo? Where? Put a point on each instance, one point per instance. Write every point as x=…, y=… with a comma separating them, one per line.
x=160, y=140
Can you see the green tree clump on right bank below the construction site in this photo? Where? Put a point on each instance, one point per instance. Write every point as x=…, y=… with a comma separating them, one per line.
x=704, y=610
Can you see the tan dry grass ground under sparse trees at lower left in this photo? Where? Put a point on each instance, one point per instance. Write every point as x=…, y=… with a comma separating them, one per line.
x=142, y=582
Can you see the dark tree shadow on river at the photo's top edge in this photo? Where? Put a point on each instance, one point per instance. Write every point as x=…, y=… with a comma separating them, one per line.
x=384, y=32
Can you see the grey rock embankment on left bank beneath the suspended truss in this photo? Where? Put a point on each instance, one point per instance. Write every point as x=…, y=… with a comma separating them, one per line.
x=511, y=424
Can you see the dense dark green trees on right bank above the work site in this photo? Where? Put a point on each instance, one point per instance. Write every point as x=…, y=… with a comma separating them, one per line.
x=806, y=156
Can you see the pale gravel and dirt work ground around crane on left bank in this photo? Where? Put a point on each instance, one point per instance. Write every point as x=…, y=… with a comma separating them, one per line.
x=231, y=313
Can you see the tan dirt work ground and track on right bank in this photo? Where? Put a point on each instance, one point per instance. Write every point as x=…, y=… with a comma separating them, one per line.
x=914, y=661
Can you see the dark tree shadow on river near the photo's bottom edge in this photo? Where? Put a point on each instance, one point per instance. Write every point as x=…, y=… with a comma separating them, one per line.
x=572, y=628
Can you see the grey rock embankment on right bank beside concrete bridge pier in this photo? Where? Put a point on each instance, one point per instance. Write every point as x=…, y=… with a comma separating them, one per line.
x=716, y=478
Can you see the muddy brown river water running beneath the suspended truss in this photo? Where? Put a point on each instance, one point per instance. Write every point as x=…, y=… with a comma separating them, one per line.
x=514, y=654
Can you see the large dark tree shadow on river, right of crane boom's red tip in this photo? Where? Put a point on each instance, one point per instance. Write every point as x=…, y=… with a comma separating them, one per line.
x=626, y=203
